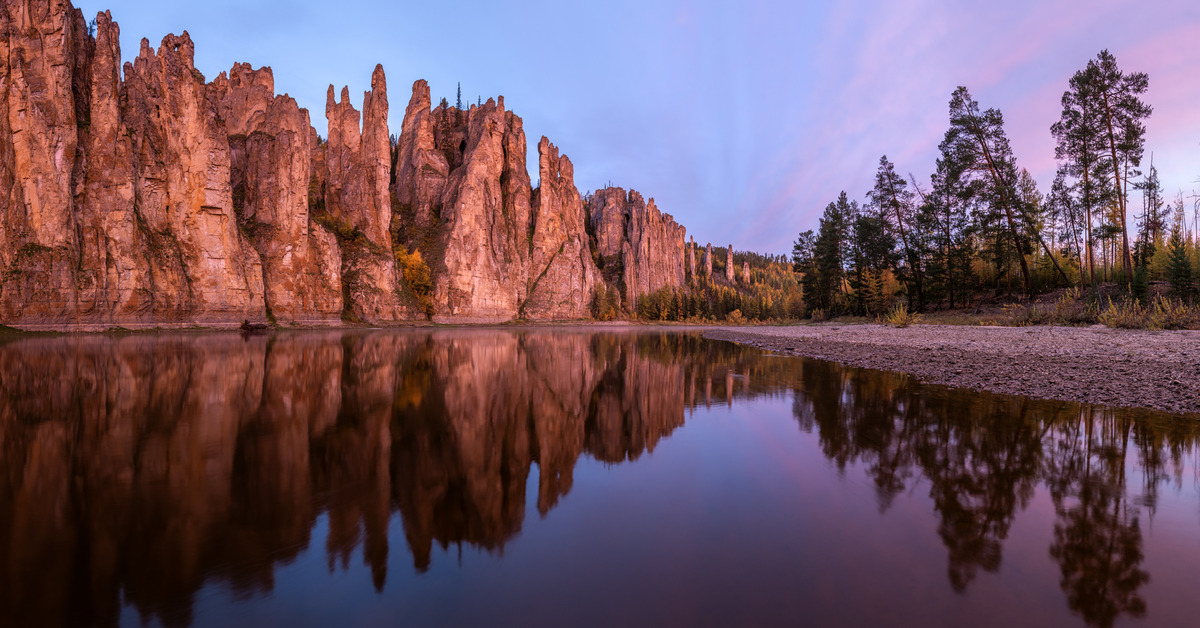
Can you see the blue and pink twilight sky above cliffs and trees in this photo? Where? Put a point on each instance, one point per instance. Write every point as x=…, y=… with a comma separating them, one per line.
x=742, y=122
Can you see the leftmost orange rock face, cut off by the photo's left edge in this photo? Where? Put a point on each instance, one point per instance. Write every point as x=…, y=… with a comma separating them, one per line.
x=44, y=49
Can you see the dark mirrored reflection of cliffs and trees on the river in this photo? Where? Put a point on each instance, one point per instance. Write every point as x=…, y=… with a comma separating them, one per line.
x=139, y=470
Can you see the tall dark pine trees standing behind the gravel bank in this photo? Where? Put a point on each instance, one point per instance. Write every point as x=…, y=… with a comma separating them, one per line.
x=983, y=225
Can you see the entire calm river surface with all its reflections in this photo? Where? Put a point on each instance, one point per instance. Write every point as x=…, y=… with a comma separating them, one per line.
x=568, y=479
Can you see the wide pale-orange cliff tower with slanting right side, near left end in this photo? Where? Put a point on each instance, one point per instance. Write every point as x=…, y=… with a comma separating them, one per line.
x=202, y=270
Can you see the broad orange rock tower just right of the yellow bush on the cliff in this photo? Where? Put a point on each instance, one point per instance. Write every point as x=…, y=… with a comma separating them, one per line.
x=481, y=262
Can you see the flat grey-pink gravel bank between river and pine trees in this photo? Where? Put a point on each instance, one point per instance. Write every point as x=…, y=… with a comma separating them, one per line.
x=1156, y=370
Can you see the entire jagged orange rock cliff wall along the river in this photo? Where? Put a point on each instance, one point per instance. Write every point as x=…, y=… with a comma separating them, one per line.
x=145, y=196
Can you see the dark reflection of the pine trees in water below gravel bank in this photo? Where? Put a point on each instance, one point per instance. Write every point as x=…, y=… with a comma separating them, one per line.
x=983, y=456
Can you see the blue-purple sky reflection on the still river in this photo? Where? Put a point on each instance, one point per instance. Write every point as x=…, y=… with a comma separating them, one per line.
x=736, y=518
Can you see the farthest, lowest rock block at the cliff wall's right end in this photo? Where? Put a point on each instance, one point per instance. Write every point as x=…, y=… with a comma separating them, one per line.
x=647, y=244
